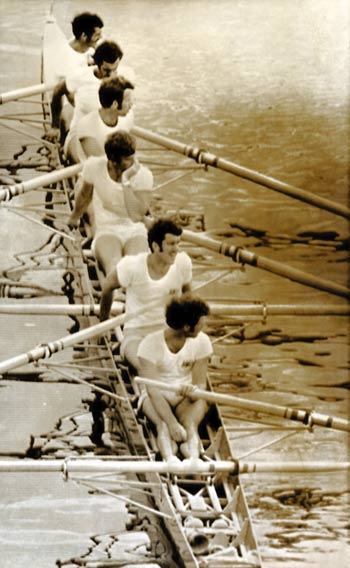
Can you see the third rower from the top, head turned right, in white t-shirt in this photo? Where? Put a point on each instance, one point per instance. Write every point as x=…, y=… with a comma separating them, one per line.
x=115, y=114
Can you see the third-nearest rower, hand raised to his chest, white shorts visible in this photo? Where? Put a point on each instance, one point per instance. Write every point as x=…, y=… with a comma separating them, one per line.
x=120, y=190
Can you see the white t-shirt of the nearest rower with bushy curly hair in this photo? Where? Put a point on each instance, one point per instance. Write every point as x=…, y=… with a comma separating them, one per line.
x=174, y=367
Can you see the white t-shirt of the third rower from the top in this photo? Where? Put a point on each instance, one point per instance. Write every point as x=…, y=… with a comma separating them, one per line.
x=92, y=126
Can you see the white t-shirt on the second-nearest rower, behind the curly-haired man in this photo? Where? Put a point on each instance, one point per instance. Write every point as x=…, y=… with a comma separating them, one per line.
x=141, y=289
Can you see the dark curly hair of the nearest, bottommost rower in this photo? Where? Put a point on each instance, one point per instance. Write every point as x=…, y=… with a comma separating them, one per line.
x=185, y=311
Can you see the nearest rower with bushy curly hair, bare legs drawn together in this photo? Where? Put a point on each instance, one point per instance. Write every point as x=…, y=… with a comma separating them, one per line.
x=179, y=354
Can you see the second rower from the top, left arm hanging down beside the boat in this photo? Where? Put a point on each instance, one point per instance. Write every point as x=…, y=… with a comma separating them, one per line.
x=82, y=86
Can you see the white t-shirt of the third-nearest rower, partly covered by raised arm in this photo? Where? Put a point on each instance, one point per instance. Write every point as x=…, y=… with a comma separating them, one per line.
x=108, y=196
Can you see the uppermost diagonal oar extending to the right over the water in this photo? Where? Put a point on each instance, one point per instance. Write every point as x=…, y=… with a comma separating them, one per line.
x=203, y=157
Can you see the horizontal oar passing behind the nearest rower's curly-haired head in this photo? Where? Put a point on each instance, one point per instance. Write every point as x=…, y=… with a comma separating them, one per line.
x=216, y=309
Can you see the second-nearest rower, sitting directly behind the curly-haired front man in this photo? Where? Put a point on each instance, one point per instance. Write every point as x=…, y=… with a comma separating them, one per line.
x=153, y=278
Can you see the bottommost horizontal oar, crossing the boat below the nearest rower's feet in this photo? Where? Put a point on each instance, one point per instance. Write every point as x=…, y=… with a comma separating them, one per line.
x=187, y=467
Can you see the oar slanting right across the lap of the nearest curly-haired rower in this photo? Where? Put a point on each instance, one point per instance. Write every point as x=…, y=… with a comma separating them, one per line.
x=308, y=418
